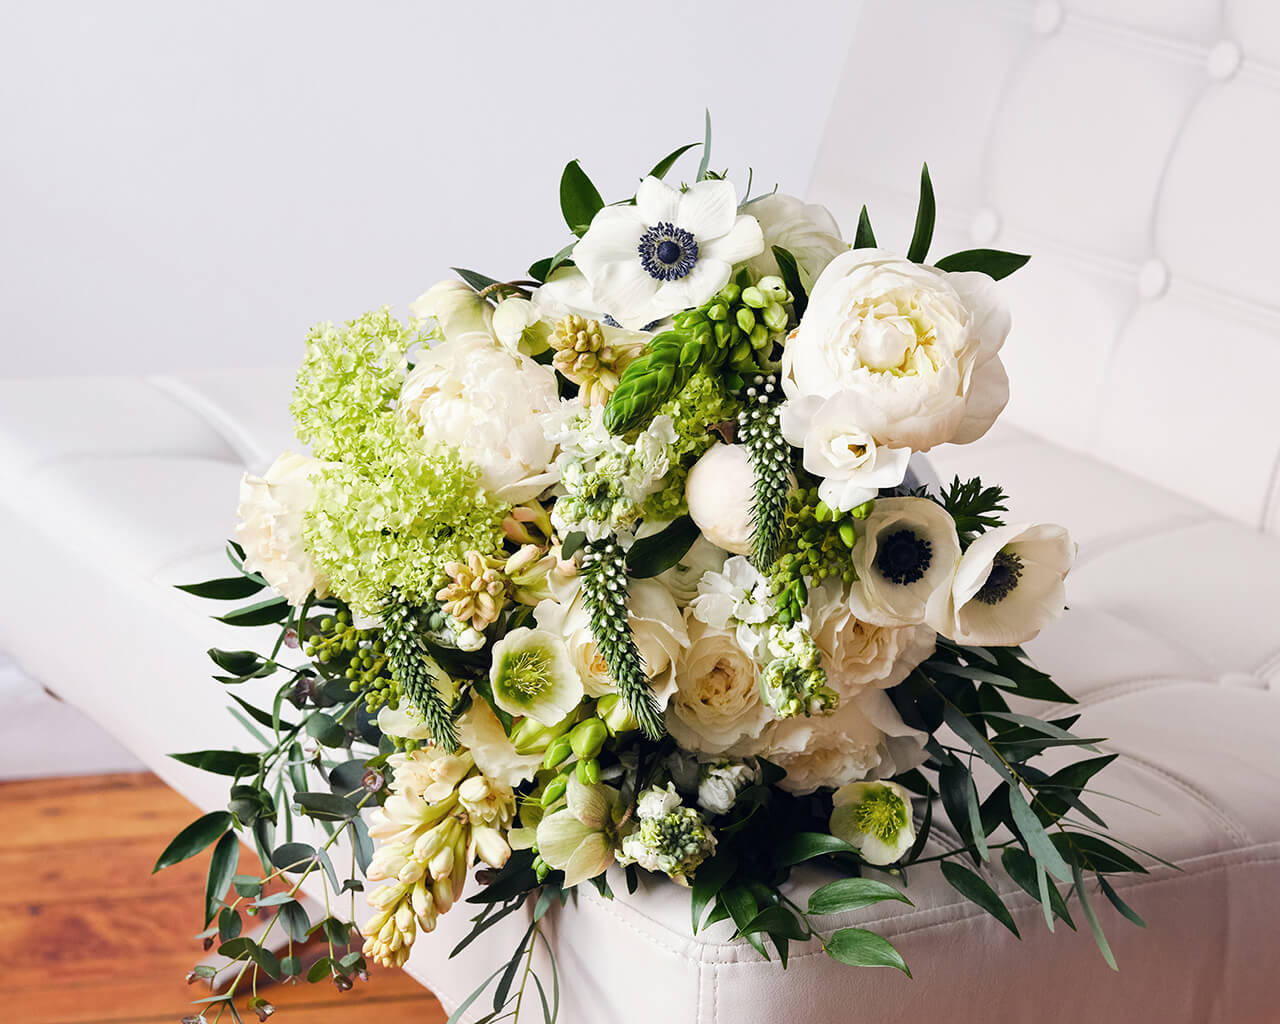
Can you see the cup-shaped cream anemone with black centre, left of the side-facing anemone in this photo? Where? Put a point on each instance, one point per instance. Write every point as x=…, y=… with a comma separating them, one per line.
x=906, y=559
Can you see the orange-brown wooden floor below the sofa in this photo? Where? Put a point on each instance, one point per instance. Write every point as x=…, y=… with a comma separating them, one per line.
x=88, y=934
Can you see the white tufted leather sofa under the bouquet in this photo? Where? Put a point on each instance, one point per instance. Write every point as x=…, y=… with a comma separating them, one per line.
x=1135, y=149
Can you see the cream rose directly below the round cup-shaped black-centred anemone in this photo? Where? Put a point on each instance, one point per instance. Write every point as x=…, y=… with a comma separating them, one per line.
x=857, y=655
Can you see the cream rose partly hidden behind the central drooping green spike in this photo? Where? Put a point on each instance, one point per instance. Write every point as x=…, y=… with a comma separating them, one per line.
x=657, y=628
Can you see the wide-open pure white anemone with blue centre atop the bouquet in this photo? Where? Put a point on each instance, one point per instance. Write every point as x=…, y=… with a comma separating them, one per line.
x=670, y=253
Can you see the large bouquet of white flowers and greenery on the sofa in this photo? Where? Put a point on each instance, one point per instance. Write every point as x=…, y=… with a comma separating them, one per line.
x=623, y=565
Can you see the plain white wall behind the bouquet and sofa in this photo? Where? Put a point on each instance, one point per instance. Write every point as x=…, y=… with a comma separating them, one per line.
x=193, y=185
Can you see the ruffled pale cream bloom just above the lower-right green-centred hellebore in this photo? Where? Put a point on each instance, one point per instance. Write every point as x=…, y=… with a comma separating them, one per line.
x=865, y=738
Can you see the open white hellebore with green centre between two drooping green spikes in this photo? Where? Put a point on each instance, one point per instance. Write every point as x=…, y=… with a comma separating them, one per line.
x=533, y=675
